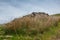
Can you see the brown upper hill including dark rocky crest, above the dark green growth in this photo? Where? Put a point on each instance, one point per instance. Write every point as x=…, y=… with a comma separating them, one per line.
x=36, y=21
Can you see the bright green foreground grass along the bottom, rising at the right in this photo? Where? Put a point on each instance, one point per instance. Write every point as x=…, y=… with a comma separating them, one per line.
x=50, y=34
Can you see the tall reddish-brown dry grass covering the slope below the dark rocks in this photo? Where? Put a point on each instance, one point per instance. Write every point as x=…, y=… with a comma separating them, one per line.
x=32, y=24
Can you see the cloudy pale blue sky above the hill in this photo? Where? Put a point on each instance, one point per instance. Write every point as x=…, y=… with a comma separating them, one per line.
x=10, y=9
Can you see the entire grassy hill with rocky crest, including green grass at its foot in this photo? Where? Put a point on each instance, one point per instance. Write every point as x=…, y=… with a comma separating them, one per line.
x=35, y=26
